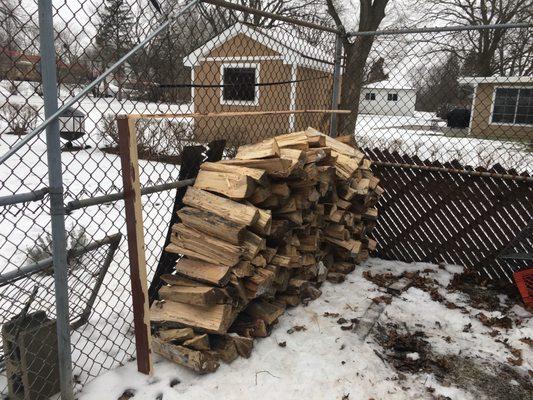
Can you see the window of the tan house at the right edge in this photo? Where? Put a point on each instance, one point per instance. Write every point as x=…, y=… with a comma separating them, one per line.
x=513, y=106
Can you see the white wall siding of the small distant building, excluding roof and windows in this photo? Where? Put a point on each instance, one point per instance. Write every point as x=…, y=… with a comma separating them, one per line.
x=405, y=105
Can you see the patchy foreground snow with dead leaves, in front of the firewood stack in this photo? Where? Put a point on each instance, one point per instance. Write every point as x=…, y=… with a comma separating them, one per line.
x=324, y=361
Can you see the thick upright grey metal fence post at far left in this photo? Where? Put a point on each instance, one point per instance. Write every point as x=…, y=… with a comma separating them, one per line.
x=57, y=212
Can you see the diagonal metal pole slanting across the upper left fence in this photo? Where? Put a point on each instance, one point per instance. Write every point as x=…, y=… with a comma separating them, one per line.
x=52, y=117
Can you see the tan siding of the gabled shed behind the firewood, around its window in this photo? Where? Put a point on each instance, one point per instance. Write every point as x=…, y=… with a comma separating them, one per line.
x=312, y=94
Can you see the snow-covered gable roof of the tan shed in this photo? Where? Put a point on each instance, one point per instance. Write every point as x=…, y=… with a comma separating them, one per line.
x=292, y=49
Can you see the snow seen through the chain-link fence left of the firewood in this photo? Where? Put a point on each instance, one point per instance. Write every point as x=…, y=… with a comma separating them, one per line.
x=106, y=341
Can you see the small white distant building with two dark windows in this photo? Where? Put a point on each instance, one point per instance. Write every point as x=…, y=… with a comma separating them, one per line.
x=387, y=98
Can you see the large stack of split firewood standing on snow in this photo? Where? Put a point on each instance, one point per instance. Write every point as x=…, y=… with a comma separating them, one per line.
x=258, y=233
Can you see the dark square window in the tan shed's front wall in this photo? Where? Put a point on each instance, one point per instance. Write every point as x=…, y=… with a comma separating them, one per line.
x=239, y=84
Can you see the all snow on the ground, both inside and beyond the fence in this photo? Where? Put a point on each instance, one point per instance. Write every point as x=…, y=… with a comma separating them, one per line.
x=313, y=355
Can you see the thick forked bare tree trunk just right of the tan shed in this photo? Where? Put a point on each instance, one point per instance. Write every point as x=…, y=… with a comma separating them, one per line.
x=357, y=51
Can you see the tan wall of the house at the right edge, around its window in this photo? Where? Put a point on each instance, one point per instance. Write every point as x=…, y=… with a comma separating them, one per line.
x=481, y=125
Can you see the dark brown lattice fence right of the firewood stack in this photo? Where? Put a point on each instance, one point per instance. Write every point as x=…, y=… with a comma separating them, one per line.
x=435, y=216
